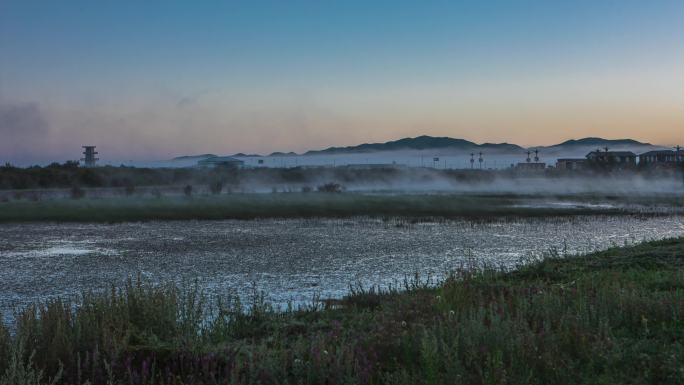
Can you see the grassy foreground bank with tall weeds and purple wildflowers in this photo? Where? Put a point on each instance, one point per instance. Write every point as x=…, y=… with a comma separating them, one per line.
x=613, y=317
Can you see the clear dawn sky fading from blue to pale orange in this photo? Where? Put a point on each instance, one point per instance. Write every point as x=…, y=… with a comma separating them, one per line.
x=154, y=79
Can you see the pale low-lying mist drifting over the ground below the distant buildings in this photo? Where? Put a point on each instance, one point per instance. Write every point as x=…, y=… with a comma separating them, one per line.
x=422, y=180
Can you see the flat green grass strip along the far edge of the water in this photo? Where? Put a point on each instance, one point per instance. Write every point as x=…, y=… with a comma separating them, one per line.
x=285, y=205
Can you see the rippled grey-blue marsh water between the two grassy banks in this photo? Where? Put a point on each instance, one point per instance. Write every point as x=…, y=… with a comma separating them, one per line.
x=290, y=260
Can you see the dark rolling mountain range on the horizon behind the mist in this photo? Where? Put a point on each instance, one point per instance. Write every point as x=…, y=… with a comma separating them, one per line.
x=441, y=143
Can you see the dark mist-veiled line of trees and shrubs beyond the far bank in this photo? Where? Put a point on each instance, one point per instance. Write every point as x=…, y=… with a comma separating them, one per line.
x=69, y=174
